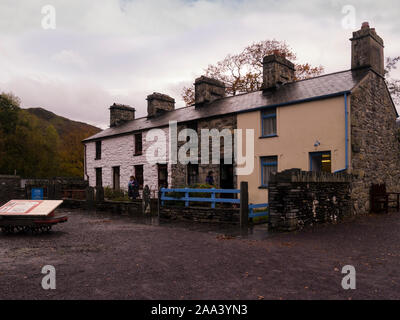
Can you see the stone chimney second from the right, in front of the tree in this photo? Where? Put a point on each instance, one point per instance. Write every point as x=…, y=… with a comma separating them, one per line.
x=277, y=70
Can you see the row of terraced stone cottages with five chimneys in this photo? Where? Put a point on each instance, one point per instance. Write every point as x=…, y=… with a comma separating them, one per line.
x=343, y=121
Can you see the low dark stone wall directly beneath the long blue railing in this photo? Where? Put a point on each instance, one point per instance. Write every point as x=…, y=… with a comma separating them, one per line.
x=199, y=214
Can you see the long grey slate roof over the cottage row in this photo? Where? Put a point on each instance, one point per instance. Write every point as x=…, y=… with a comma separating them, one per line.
x=310, y=89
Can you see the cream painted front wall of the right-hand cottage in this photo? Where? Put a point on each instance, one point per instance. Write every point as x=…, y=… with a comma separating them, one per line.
x=298, y=128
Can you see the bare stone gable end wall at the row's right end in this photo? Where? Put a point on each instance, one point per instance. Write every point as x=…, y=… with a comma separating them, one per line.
x=375, y=146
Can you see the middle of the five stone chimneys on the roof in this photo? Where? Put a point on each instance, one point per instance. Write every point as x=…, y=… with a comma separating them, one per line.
x=207, y=90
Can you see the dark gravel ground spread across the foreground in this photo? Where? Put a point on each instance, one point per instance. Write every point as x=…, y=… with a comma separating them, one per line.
x=97, y=256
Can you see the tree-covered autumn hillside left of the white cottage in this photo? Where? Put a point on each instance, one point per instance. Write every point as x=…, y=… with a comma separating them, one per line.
x=37, y=143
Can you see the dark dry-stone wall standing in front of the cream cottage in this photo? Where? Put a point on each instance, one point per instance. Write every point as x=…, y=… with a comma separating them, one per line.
x=298, y=198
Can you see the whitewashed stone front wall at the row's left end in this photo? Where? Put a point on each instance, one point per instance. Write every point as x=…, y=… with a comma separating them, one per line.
x=119, y=151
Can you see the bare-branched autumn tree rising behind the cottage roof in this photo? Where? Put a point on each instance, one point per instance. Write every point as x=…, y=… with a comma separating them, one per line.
x=243, y=72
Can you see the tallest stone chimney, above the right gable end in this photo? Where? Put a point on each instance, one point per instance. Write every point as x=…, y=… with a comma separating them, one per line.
x=367, y=49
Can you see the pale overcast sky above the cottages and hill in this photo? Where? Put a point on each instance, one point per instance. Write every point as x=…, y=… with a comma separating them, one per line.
x=122, y=50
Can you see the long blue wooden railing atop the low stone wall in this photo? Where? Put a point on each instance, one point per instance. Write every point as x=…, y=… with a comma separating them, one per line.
x=187, y=198
